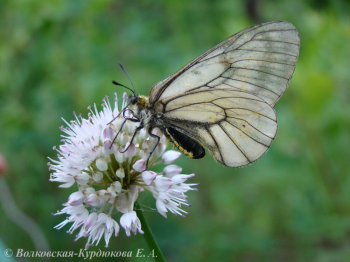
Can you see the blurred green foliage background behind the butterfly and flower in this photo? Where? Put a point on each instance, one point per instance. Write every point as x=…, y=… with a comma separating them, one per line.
x=59, y=56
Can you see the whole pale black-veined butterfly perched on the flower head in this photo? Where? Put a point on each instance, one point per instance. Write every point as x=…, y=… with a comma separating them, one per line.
x=224, y=99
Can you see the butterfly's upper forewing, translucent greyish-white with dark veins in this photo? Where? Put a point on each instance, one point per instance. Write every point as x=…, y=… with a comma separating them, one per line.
x=259, y=60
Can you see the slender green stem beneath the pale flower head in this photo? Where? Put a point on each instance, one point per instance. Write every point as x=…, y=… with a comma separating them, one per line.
x=149, y=237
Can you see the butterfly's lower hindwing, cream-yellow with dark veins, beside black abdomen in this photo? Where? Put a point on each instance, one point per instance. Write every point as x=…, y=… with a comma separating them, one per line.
x=235, y=126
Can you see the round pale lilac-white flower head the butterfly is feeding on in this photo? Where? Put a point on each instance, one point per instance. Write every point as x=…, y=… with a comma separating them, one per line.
x=109, y=180
